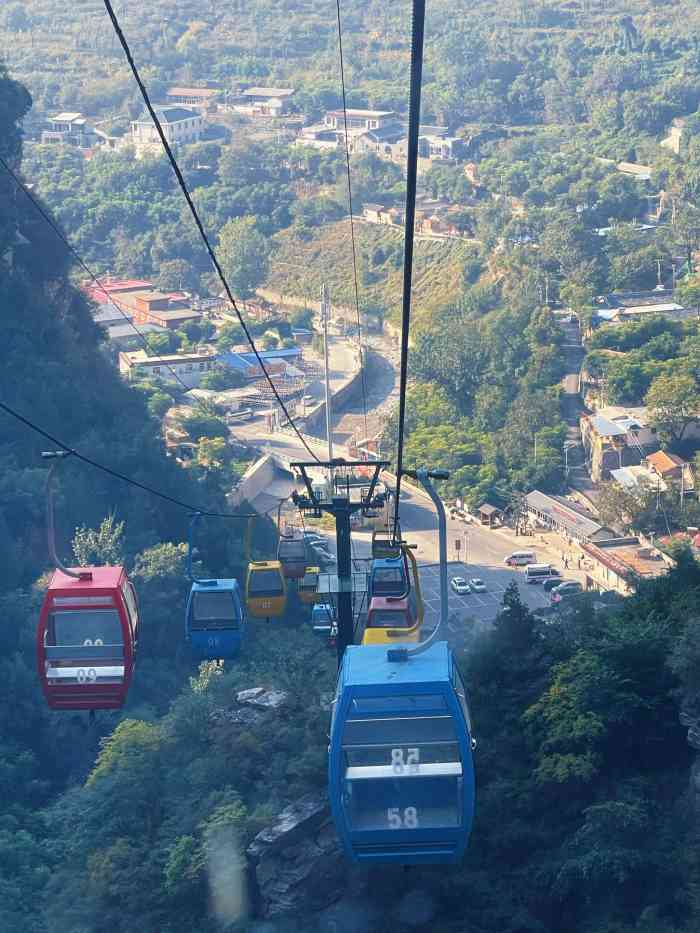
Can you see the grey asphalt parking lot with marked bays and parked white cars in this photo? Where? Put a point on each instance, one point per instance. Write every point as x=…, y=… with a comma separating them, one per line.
x=480, y=606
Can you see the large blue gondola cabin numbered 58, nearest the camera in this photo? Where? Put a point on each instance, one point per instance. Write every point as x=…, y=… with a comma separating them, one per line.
x=401, y=776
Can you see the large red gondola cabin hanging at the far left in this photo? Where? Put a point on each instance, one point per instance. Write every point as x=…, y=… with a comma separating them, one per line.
x=86, y=639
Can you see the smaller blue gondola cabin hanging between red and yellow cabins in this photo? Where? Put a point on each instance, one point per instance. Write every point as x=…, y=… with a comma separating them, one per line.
x=215, y=619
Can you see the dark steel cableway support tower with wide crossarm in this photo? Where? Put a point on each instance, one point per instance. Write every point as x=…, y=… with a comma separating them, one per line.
x=339, y=503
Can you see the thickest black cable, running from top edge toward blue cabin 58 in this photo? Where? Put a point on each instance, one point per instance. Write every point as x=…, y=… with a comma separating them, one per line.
x=418, y=30
